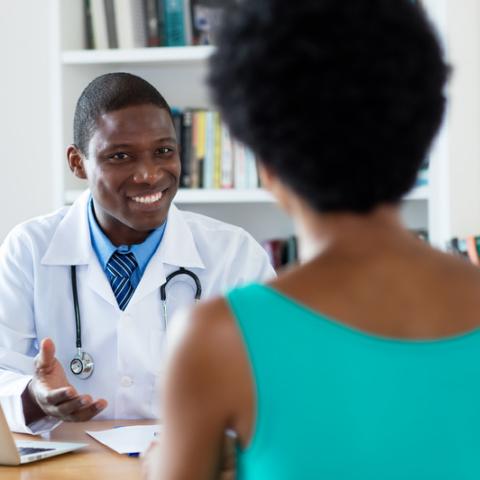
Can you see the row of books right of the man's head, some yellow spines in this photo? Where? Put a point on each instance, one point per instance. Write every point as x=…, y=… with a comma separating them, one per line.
x=210, y=157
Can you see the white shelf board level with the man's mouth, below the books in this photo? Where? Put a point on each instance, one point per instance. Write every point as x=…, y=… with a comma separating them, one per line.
x=201, y=195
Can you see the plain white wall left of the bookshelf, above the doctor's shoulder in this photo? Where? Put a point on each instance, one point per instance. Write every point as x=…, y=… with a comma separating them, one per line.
x=26, y=185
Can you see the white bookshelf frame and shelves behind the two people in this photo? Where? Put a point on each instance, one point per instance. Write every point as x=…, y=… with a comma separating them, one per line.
x=178, y=73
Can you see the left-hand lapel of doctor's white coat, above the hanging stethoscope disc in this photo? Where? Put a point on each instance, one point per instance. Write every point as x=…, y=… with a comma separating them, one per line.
x=71, y=245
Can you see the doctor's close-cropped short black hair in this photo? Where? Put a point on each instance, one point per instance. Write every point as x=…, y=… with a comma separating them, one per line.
x=108, y=93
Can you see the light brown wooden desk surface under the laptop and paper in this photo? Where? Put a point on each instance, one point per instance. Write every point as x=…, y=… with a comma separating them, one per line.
x=90, y=463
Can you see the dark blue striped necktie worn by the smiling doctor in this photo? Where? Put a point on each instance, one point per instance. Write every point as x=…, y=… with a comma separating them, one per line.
x=121, y=266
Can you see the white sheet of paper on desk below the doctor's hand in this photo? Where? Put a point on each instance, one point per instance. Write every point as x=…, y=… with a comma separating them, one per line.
x=133, y=439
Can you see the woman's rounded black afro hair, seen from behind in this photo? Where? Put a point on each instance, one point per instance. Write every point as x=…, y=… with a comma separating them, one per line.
x=341, y=98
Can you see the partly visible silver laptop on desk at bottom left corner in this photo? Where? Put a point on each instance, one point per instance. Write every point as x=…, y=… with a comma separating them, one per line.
x=19, y=452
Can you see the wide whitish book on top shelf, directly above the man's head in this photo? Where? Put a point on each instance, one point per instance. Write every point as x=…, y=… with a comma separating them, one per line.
x=130, y=23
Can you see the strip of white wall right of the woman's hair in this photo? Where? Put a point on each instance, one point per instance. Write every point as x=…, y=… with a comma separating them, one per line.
x=463, y=38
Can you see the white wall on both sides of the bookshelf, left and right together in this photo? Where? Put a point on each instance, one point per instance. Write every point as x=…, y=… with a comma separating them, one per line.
x=27, y=183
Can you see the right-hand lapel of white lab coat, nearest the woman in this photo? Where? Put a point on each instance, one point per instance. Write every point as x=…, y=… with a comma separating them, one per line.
x=177, y=249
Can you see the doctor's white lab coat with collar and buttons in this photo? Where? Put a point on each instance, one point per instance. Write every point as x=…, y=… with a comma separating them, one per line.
x=127, y=346
